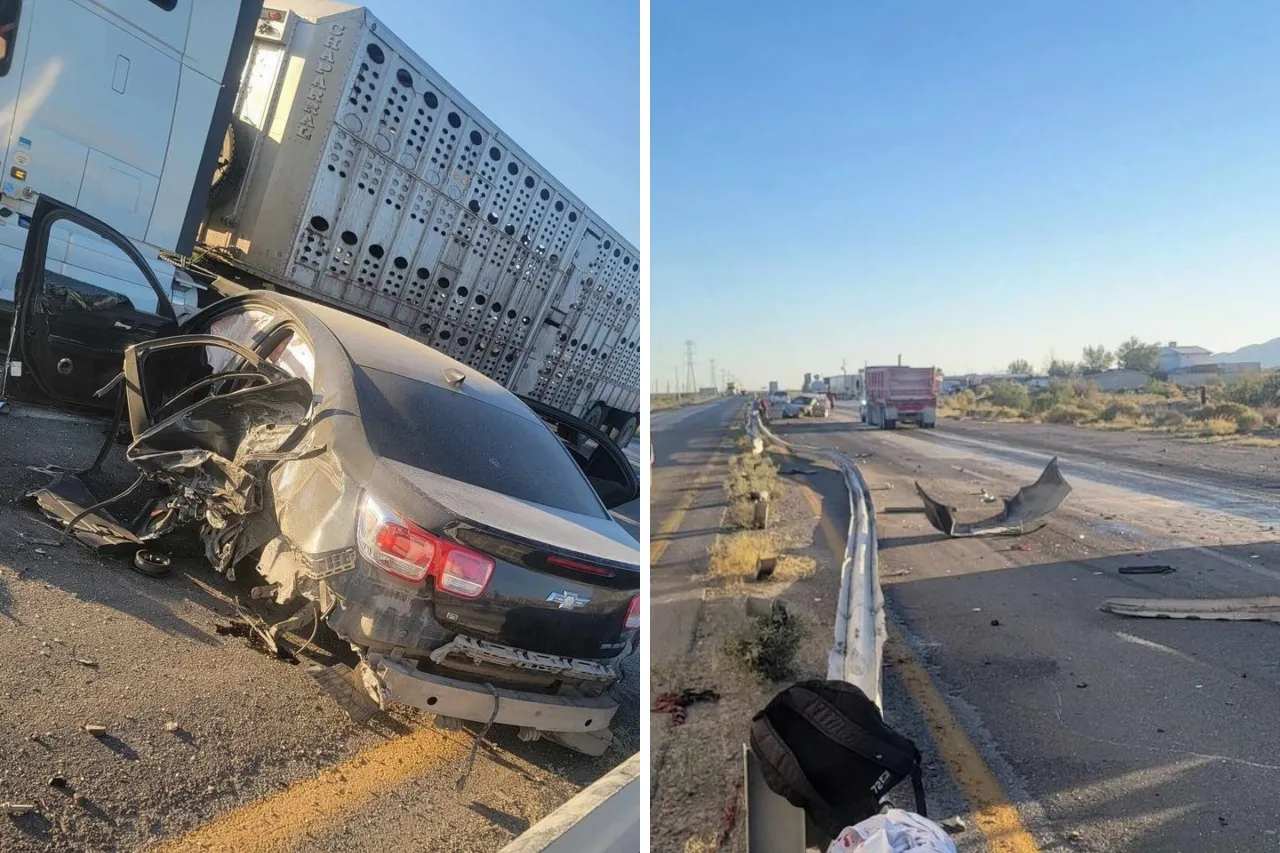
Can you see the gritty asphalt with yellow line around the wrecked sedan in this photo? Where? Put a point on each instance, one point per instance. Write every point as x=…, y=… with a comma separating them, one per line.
x=212, y=745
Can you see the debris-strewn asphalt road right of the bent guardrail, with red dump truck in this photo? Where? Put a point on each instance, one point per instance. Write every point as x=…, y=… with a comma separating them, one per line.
x=1063, y=727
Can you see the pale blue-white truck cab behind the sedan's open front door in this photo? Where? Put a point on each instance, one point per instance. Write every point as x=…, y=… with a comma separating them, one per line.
x=118, y=108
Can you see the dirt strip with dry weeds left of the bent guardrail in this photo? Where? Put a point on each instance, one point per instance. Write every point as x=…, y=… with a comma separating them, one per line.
x=696, y=792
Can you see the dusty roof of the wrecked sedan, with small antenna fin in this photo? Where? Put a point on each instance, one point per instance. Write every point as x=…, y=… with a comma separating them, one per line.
x=381, y=349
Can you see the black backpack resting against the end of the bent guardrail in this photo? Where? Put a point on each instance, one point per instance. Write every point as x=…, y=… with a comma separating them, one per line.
x=825, y=747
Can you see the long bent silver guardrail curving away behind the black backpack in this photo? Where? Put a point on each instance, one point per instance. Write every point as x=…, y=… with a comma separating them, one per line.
x=857, y=655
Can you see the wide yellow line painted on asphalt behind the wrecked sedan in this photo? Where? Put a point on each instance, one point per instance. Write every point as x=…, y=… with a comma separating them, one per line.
x=277, y=823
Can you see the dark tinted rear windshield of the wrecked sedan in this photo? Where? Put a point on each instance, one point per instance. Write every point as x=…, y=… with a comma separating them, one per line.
x=459, y=437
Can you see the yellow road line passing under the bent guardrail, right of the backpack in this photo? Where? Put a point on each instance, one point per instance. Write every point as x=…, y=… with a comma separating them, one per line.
x=994, y=815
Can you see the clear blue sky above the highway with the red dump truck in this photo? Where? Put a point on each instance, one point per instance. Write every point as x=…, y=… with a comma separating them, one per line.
x=961, y=183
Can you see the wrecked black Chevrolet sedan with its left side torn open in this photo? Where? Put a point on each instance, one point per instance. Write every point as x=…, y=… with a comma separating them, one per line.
x=458, y=539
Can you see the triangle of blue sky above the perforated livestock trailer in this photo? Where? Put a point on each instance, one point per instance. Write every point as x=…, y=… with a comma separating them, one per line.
x=561, y=79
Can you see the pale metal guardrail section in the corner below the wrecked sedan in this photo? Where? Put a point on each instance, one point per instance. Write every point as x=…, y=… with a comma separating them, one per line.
x=604, y=818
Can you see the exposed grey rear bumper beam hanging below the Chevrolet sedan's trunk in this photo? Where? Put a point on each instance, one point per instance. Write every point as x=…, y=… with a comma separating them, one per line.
x=467, y=701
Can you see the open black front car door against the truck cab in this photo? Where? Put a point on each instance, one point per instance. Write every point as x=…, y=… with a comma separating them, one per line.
x=84, y=295
